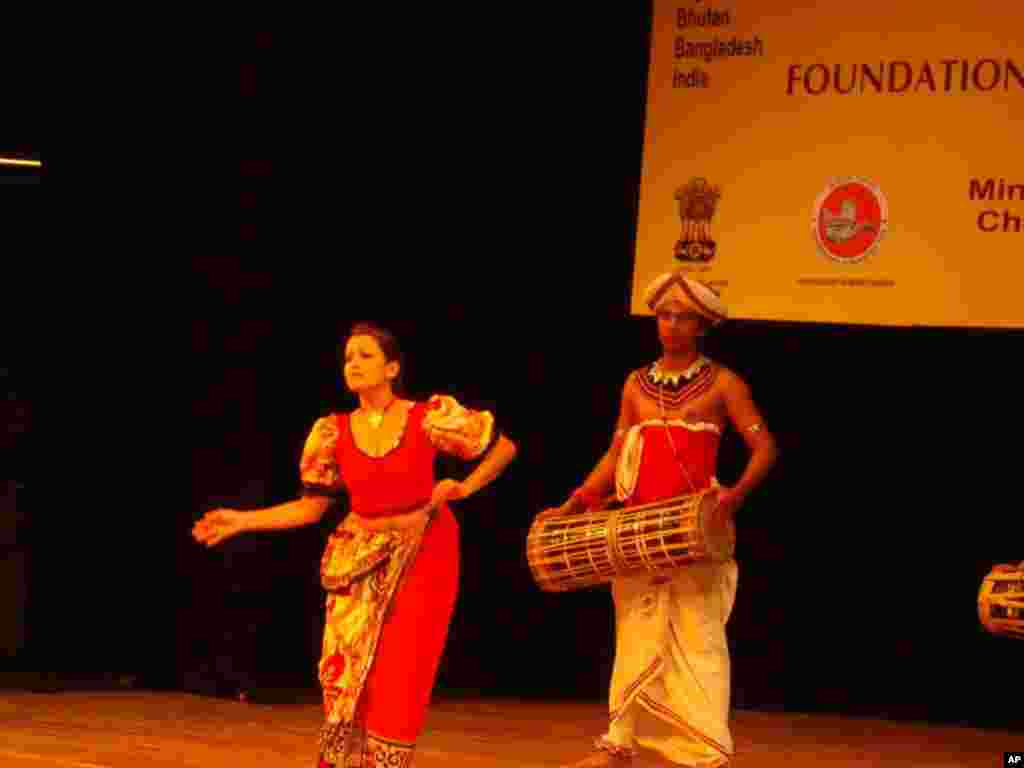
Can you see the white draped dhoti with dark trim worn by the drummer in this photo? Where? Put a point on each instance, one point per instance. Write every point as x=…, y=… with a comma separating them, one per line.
x=670, y=685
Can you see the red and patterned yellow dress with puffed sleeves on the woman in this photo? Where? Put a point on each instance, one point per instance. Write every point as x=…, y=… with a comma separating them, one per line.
x=392, y=593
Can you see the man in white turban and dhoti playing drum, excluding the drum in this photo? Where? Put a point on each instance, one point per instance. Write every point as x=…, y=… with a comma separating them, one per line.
x=670, y=685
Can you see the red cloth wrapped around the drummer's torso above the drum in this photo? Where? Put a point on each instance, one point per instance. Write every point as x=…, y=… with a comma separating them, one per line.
x=662, y=475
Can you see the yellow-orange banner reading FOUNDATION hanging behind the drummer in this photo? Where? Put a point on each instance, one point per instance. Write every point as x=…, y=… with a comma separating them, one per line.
x=838, y=163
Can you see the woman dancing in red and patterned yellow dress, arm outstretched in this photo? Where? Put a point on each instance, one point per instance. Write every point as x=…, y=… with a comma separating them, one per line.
x=392, y=569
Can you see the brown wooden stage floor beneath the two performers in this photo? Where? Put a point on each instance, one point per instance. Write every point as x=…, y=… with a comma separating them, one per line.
x=138, y=730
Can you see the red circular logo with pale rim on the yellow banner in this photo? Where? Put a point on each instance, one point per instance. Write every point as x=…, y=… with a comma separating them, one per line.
x=850, y=219
